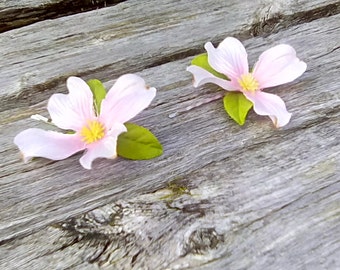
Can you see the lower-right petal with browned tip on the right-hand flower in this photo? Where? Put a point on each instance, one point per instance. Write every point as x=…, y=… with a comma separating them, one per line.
x=271, y=105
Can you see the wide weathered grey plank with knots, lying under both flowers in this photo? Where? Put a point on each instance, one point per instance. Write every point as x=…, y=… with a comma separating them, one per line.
x=270, y=195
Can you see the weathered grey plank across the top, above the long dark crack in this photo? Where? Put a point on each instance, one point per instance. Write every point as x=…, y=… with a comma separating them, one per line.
x=97, y=49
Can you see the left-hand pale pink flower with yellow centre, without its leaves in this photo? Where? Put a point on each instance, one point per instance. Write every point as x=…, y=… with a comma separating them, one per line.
x=96, y=134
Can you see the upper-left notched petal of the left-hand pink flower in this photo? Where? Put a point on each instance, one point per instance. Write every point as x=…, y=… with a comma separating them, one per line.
x=73, y=110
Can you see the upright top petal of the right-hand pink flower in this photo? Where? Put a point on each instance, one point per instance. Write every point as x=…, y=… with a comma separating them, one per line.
x=229, y=58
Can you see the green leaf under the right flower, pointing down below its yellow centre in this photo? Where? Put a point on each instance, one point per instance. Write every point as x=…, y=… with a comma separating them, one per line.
x=237, y=106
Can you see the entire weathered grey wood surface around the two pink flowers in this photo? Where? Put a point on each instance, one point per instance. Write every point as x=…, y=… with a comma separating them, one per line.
x=221, y=196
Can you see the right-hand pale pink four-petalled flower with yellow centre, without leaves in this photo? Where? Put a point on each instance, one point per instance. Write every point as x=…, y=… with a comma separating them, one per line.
x=276, y=66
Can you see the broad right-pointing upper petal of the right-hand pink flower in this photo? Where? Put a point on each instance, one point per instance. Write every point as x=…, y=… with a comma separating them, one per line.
x=277, y=66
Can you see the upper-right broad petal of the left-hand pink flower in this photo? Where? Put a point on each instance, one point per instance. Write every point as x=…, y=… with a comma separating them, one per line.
x=128, y=96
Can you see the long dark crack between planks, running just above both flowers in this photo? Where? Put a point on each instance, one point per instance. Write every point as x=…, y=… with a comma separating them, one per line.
x=273, y=24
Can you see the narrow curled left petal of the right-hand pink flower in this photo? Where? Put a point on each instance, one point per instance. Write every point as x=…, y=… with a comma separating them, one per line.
x=202, y=76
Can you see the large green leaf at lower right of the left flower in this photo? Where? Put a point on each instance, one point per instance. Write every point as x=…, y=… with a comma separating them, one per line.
x=138, y=143
